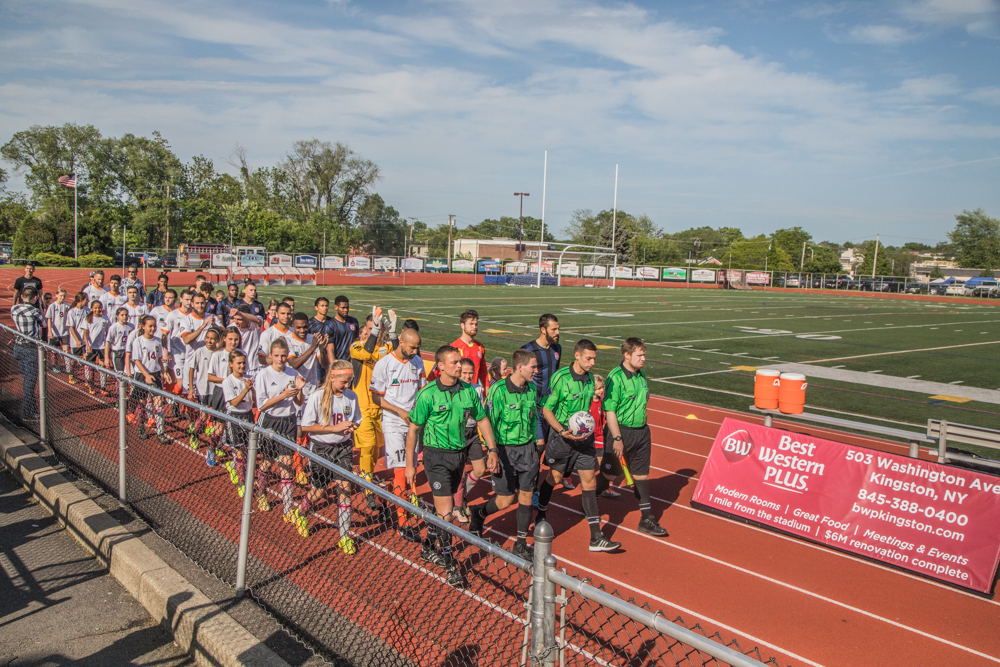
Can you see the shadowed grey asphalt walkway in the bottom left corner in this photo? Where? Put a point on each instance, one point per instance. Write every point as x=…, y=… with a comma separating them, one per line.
x=58, y=605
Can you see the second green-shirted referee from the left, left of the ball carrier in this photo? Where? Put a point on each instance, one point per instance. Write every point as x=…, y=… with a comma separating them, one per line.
x=512, y=411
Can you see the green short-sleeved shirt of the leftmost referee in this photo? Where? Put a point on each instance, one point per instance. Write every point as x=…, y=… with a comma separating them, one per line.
x=443, y=412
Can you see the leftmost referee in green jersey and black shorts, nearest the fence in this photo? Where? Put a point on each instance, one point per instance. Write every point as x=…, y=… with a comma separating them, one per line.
x=442, y=409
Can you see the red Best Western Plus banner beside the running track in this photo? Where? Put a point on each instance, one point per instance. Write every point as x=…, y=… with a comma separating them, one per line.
x=935, y=520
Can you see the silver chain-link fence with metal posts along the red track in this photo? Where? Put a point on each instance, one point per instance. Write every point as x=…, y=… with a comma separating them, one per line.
x=350, y=566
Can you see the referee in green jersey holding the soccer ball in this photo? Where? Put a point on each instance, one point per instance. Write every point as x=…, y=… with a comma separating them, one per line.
x=572, y=391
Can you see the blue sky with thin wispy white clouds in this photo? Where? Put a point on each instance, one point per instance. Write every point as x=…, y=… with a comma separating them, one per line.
x=846, y=118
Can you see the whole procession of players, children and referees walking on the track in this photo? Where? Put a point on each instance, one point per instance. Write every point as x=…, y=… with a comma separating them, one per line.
x=381, y=397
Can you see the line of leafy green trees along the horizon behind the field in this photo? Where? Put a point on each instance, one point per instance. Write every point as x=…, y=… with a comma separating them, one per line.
x=322, y=195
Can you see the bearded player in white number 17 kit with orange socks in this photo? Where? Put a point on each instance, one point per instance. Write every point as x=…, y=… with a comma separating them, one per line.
x=396, y=379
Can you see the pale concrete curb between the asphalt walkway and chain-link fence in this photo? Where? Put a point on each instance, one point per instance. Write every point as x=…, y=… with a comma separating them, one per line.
x=199, y=626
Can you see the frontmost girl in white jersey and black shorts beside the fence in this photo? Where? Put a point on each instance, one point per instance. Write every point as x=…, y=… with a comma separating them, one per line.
x=329, y=418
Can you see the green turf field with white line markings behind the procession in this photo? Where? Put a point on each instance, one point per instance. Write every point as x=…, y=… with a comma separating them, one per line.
x=705, y=344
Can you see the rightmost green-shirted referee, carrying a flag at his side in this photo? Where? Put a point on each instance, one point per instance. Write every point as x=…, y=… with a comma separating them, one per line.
x=626, y=431
